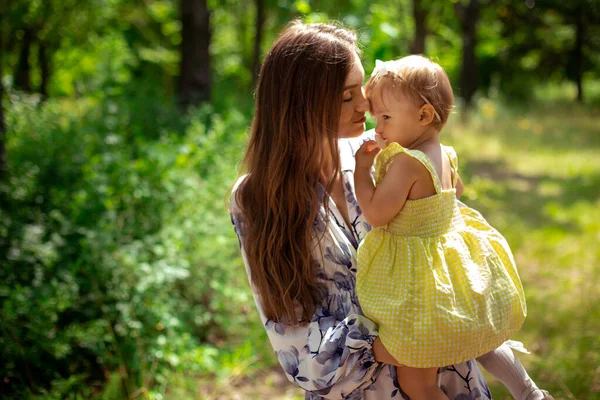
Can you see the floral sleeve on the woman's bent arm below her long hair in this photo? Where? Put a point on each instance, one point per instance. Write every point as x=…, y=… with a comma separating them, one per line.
x=330, y=357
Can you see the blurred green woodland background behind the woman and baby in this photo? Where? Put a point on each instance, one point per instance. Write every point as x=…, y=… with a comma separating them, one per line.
x=123, y=124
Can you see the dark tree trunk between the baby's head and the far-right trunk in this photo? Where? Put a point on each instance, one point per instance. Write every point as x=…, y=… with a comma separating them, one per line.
x=468, y=16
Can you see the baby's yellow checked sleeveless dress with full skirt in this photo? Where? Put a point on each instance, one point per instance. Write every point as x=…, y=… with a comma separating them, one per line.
x=440, y=282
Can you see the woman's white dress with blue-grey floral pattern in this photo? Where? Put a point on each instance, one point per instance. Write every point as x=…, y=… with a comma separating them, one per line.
x=332, y=358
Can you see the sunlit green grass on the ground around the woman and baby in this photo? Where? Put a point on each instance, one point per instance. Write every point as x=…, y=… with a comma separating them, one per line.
x=535, y=175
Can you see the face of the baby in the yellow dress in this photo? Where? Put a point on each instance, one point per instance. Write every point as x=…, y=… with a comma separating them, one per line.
x=397, y=117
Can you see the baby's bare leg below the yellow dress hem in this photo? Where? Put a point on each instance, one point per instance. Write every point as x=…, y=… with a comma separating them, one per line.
x=420, y=383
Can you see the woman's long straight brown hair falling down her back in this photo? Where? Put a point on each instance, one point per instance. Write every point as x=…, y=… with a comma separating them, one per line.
x=296, y=120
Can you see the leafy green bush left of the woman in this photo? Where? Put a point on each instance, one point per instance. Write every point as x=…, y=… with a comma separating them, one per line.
x=117, y=253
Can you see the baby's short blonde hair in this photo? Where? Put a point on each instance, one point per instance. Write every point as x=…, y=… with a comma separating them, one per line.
x=419, y=78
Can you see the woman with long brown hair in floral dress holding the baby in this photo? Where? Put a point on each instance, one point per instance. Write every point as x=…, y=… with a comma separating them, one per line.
x=299, y=224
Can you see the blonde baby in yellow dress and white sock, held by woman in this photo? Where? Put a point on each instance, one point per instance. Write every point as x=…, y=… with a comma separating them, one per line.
x=440, y=282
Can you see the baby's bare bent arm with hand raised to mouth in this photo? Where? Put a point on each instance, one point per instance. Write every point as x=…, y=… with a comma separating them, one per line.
x=380, y=204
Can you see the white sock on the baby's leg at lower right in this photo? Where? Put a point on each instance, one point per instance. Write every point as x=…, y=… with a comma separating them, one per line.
x=506, y=367
